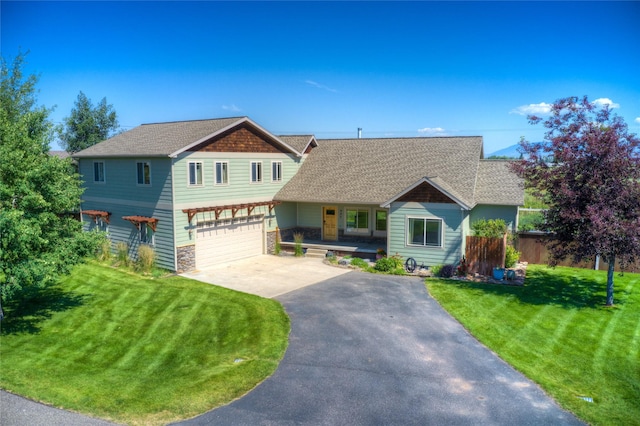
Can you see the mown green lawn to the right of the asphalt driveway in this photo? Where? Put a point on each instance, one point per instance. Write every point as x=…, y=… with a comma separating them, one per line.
x=556, y=331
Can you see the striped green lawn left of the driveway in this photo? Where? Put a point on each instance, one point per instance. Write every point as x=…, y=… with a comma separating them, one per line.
x=139, y=350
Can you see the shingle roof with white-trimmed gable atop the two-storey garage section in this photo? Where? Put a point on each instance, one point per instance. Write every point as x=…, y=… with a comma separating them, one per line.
x=172, y=138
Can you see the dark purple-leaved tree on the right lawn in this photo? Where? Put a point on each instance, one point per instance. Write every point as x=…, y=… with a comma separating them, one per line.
x=588, y=172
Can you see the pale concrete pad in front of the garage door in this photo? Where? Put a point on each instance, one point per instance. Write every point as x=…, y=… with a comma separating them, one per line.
x=266, y=275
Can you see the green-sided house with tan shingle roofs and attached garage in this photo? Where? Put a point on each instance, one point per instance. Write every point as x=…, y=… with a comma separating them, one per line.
x=208, y=191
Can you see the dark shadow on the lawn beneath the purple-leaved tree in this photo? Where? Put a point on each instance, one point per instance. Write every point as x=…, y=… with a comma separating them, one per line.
x=545, y=287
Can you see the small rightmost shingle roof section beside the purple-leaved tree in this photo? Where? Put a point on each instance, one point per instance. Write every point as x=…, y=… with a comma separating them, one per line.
x=497, y=184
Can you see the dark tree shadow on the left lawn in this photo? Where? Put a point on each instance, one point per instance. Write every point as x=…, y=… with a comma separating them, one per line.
x=25, y=314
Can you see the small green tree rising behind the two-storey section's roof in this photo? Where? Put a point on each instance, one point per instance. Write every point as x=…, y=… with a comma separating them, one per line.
x=87, y=125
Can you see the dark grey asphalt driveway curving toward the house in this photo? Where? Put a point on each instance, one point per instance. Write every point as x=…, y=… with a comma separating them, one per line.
x=370, y=349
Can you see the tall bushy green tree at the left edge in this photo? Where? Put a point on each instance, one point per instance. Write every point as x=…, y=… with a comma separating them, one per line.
x=39, y=240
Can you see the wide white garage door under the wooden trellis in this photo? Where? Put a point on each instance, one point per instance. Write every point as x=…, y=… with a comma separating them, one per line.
x=226, y=240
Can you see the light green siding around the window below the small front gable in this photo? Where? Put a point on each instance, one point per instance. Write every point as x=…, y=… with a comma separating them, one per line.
x=453, y=221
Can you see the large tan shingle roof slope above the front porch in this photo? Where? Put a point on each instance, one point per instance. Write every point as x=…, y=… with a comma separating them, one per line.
x=372, y=171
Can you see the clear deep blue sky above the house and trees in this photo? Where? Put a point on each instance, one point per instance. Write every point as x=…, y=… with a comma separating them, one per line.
x=394, y=69
